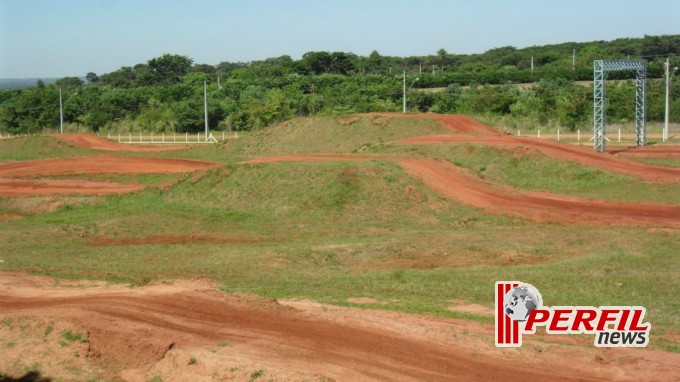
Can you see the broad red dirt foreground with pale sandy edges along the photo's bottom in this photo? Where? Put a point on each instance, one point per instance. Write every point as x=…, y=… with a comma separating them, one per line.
x=136, y=333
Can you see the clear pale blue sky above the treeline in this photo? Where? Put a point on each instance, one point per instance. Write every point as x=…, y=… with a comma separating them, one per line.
x=56, y=38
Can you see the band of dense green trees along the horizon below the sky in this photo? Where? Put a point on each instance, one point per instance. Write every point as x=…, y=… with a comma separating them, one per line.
x=166, y=93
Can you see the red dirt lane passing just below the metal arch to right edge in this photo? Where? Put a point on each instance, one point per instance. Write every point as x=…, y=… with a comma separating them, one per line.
x=581, y=155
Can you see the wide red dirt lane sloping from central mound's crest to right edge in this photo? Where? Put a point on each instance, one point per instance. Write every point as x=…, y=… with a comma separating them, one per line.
x=540, y=206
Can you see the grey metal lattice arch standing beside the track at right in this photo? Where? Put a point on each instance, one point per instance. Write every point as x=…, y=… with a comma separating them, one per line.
x=600, y=69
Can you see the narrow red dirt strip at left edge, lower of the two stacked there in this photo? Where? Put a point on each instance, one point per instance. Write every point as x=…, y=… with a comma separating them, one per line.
x=26, y=187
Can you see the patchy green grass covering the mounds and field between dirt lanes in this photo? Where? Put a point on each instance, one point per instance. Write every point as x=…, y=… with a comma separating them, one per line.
x=336, y=230
